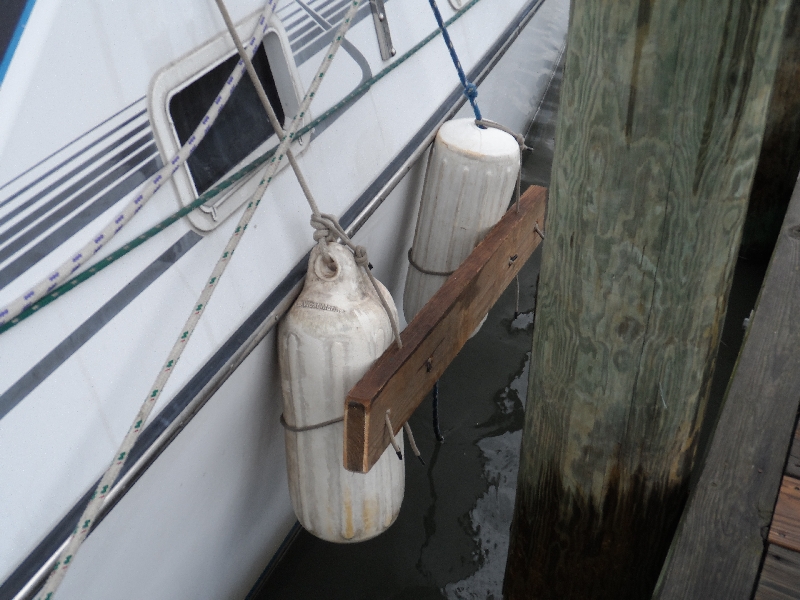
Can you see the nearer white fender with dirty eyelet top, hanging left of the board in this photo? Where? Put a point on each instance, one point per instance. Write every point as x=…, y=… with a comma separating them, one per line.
x=333, y=333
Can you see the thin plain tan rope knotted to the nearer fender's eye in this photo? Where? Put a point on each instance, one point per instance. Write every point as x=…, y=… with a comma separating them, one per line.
x=326, y=226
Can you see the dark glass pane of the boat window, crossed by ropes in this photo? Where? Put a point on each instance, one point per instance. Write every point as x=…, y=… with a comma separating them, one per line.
x=240, y=128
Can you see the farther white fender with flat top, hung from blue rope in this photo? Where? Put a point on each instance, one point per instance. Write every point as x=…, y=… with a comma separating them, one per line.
x=468, y=185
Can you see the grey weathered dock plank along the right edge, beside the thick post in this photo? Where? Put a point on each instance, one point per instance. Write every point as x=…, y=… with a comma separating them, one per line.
x=718, y=548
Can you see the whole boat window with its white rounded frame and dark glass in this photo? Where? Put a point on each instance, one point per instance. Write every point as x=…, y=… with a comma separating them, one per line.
x=180, y=95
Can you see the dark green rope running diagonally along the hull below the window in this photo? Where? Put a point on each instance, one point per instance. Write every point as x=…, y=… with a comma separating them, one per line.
x=7, y=321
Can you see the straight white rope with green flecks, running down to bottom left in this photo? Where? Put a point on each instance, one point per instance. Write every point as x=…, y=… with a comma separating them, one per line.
x=92, y=510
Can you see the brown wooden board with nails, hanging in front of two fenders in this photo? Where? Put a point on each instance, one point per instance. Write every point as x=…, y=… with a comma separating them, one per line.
x=402, y=377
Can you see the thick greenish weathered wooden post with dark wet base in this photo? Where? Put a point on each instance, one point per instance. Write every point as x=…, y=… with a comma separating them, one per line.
x=661, y=121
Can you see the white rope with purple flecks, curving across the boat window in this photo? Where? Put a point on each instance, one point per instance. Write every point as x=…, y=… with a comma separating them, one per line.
x=78, y=259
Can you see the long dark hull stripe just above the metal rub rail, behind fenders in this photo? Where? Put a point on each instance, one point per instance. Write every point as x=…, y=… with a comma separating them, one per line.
x=169, y=413
